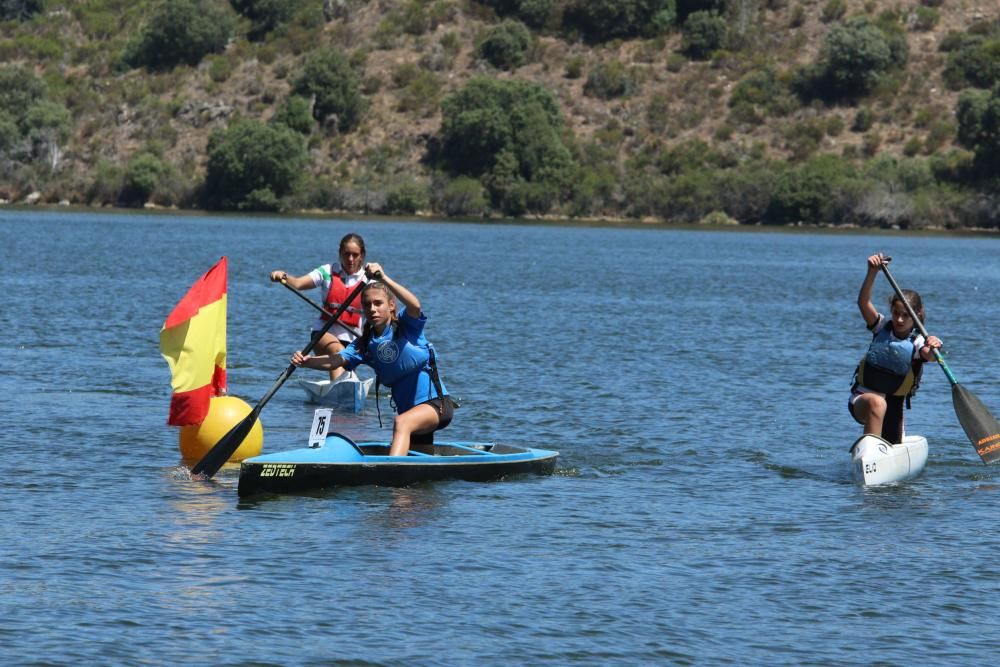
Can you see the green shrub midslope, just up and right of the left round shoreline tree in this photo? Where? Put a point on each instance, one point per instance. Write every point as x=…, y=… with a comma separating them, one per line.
x=329, y=77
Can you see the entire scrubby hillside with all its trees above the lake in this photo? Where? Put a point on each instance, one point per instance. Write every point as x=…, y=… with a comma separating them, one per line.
x=836, y=112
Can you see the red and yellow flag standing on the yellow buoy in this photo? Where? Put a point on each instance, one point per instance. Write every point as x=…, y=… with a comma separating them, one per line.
x=193, y=341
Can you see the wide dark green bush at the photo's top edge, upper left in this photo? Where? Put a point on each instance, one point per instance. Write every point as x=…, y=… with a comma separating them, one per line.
x=179, y=32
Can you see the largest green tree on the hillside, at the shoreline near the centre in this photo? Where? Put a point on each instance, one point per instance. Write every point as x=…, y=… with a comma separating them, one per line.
x=509, y=135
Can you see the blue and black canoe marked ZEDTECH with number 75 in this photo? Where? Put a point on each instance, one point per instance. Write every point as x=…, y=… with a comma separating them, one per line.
x=340, y=461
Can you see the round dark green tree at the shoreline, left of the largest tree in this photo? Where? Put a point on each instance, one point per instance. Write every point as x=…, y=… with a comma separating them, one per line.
x=251, y=166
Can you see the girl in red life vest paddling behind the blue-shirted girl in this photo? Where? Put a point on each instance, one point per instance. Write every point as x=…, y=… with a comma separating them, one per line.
x=335, y=281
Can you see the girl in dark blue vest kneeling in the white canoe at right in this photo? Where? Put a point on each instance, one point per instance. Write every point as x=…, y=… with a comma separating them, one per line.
x=888, y=373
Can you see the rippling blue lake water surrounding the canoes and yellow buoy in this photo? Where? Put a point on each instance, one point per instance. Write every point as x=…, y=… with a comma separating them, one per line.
x=695, y=383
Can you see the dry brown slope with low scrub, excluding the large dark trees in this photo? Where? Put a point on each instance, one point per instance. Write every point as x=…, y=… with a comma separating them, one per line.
x=659, y=137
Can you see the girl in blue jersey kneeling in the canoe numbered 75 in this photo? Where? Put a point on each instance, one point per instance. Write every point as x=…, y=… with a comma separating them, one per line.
x=393, y=344
